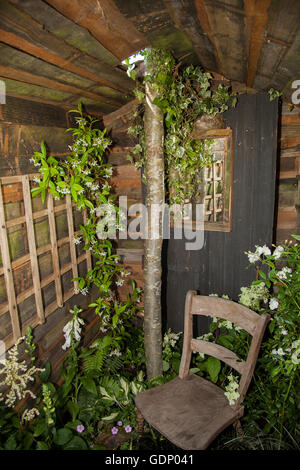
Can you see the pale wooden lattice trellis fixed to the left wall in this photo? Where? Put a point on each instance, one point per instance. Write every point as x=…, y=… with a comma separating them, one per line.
x=8, y=265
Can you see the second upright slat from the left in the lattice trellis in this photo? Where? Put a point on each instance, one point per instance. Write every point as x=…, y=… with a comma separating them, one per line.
x=32, y=249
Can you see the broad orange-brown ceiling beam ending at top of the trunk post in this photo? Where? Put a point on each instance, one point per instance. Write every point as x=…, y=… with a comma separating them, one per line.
x=105, y=22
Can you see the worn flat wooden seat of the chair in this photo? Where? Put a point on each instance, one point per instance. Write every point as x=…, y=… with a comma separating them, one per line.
x=190, y=412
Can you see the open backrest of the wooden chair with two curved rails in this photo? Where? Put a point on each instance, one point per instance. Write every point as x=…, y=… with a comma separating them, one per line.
x=245, y=318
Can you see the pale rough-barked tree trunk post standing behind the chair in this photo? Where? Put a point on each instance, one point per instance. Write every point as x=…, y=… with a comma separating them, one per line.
x=154, y=137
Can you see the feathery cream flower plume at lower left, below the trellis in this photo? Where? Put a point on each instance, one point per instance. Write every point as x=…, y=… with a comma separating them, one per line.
x=17, y=376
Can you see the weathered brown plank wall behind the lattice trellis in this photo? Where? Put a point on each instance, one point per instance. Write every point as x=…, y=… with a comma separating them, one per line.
x=23, y=124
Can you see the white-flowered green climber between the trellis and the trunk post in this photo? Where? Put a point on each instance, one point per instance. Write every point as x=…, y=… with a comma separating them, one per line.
x=84, y=177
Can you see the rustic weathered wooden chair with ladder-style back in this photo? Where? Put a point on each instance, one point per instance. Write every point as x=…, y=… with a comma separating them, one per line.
x=189, y=410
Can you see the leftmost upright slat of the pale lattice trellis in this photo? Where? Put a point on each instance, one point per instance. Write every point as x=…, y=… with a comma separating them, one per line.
x=9, y=282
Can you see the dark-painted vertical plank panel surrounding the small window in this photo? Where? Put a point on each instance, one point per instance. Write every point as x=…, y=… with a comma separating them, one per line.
x=221, y=265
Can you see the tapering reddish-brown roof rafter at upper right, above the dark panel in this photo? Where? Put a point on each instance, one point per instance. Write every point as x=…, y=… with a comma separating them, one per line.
x=256, y=21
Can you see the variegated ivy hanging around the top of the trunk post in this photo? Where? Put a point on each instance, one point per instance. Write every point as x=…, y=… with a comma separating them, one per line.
x=185, y=94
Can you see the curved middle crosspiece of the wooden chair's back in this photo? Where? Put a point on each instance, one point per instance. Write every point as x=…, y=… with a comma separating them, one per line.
x=219, y=352
